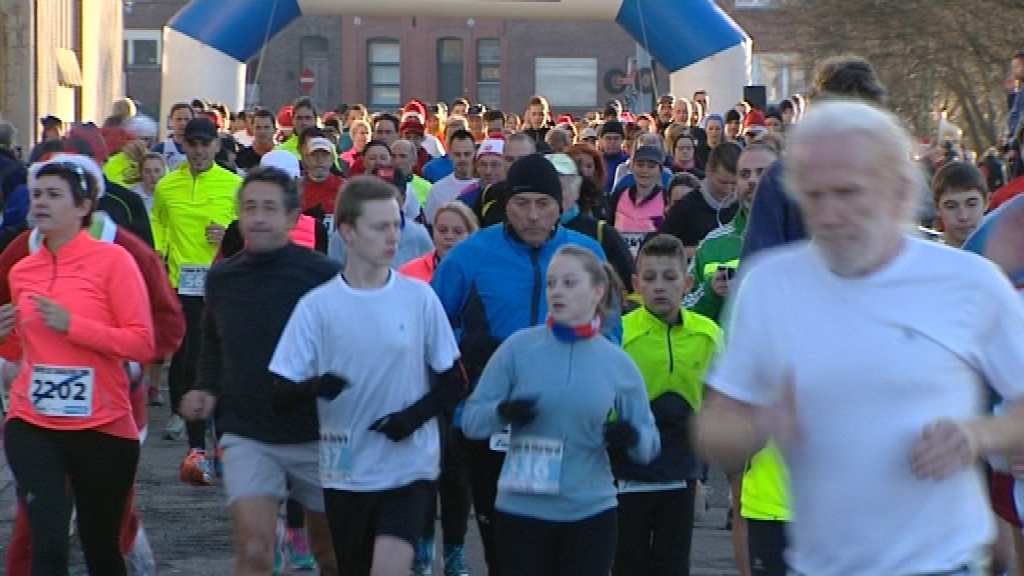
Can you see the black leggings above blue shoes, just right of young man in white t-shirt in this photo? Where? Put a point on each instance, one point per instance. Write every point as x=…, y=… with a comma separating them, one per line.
x=454, y=489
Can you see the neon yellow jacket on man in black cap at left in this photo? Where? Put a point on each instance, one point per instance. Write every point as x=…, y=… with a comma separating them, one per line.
x=184, y=207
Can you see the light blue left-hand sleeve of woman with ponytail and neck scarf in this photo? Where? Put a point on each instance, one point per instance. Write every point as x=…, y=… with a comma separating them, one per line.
x=480, y=417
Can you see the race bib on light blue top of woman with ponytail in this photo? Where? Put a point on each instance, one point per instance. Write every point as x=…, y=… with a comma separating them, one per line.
x=533, y=466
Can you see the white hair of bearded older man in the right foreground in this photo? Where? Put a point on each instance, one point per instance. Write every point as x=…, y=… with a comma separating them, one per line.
x=887, y=139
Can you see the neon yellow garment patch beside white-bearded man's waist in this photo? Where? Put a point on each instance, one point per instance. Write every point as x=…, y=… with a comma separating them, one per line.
x=764, y=493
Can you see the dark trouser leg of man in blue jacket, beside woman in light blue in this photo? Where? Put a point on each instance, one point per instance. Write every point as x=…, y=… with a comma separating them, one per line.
x=485, y=469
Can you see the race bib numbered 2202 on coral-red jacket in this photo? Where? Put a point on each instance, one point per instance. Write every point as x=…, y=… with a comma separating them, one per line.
x=61, y=391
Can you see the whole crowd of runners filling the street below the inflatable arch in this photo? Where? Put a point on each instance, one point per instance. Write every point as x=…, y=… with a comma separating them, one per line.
x=552, y=325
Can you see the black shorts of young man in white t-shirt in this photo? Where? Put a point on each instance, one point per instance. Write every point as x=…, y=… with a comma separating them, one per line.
x=357, y=519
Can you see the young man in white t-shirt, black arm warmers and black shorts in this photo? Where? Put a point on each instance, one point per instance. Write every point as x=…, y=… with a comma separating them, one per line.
x=379, y=439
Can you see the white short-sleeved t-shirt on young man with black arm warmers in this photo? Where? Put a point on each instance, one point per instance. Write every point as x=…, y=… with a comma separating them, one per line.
x=383, y=342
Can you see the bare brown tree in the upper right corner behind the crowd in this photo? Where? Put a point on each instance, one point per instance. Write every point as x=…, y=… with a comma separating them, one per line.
x=932, y=55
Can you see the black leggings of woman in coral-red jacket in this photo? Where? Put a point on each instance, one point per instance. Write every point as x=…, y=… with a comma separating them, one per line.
x=100, y=470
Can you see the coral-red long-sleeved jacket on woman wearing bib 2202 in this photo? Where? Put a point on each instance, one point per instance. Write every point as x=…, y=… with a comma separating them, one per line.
x=80, y=376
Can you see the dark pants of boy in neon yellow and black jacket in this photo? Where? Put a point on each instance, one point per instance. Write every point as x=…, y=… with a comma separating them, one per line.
x=656, y=530
